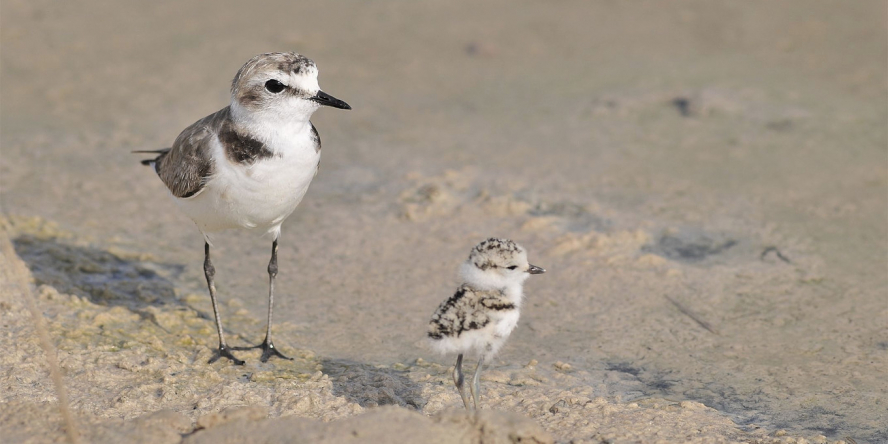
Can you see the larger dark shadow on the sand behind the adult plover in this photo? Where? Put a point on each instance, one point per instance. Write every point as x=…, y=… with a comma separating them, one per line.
x=98, y=275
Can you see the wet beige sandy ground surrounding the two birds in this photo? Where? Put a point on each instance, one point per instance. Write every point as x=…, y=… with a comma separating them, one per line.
x=706, y=183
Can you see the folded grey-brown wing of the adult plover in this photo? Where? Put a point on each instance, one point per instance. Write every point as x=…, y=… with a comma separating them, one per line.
x=185, y=167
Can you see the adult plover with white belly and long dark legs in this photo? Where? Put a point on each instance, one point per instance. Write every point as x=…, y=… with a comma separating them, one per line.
x=249, y=164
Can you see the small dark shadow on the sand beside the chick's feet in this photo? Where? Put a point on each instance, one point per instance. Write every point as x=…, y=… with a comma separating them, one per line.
x=371, y=386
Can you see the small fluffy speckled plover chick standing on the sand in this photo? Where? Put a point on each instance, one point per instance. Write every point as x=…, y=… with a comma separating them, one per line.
x=482, y=313
